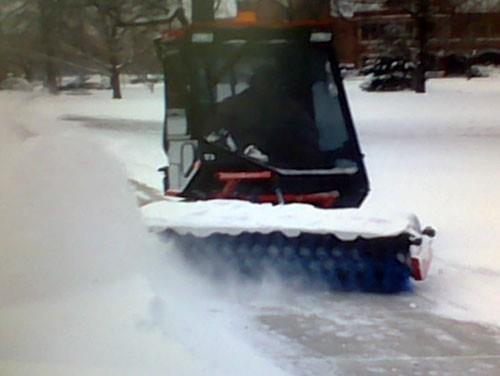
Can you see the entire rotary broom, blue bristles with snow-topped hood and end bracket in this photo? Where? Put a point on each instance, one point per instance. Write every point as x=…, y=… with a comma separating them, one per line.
x=341, y=250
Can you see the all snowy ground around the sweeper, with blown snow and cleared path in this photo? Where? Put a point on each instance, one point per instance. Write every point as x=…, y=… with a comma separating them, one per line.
x=435, y=154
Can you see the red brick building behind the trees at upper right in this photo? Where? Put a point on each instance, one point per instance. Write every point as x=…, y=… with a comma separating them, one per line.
x=469, y=31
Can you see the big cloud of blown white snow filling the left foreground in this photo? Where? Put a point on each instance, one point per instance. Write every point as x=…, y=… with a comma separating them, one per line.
x=84, y=289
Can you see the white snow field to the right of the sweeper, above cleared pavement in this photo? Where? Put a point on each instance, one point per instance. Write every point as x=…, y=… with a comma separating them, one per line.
x=437, y=155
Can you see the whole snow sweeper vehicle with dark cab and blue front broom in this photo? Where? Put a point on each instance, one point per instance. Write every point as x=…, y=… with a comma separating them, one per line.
x=265, y=171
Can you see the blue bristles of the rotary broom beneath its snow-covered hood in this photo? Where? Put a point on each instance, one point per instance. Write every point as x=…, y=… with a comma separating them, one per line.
x=382, y=265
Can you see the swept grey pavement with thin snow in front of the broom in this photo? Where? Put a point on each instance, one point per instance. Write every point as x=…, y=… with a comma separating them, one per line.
x=377, y=335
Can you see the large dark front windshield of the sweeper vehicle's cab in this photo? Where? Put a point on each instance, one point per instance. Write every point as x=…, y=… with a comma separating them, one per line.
x=275, y=101
